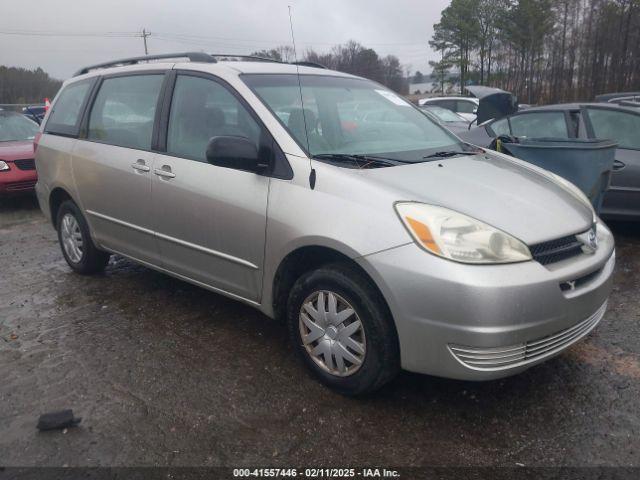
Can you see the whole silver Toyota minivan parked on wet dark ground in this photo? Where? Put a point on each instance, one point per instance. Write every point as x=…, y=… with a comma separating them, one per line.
x=328, y=201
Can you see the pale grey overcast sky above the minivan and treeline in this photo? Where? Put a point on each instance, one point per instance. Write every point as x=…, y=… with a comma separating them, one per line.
x=399, y=27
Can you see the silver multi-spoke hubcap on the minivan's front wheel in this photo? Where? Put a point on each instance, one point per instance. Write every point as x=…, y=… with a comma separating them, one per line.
x=332, y=333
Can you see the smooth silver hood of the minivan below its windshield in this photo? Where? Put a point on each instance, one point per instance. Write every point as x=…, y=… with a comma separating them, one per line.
x=507, y=194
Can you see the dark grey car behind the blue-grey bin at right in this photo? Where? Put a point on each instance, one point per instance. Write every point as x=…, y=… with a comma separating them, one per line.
x=582, y=120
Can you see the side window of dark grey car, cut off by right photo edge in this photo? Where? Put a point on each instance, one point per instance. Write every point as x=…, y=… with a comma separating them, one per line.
x=622, y=127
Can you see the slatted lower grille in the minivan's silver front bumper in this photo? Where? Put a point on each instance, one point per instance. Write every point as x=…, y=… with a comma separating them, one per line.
x=503, y=358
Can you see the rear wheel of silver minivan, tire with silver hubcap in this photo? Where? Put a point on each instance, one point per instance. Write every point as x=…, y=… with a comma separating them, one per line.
x=86, y=258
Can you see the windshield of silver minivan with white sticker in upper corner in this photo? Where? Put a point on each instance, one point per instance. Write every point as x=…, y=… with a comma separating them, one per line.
x=350, y=116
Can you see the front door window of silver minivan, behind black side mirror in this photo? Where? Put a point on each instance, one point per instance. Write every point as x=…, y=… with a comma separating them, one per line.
x=202, y=109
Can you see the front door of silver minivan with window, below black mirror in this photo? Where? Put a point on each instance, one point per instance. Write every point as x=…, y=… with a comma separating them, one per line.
x=210, y=220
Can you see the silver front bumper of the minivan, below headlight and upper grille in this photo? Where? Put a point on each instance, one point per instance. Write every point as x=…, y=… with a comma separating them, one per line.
x=479, y=322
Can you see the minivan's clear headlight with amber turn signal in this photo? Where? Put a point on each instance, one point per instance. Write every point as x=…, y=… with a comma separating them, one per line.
x=458, y=237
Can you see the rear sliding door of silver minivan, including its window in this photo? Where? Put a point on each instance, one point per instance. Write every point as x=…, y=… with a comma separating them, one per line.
x=112, y=165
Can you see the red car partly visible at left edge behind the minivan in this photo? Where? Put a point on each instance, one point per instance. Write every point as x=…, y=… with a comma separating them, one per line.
x=17, y=165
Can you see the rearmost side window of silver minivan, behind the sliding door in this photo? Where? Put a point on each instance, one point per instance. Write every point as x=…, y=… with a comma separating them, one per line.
x=64, y=118
